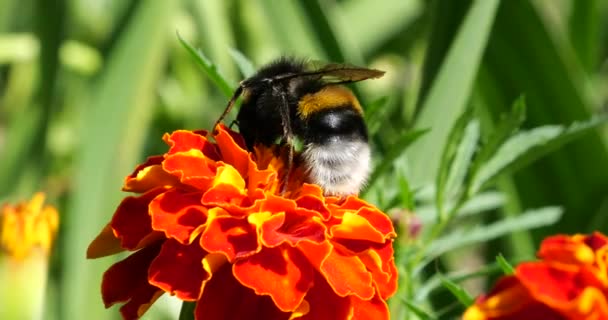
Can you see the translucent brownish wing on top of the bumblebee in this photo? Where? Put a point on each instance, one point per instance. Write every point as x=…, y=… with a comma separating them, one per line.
x=334, y=73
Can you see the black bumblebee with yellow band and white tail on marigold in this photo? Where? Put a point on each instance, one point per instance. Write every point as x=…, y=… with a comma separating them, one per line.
x=290, y=99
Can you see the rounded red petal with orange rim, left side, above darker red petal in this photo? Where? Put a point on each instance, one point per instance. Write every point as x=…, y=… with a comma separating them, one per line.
x=178, y=213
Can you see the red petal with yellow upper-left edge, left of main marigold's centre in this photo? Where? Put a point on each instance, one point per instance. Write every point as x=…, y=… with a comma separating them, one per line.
x=235, y=237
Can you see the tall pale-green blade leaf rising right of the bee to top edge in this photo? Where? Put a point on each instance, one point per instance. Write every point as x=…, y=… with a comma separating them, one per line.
x=450, y=91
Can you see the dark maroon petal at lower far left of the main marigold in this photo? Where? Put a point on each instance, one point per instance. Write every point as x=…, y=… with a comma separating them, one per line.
x=127, y=279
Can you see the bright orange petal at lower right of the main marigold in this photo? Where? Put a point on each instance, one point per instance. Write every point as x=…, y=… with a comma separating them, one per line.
x=347, y=275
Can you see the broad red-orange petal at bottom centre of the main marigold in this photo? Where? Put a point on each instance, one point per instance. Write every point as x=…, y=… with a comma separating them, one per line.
x=283, y=273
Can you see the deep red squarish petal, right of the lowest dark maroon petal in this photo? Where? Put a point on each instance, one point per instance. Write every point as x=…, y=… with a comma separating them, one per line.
x=178, y=269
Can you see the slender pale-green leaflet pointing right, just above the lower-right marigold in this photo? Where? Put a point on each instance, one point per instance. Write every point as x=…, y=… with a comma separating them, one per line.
x=465, y=236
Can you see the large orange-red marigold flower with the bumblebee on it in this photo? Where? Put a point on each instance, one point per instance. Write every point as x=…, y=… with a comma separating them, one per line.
x=209, y=224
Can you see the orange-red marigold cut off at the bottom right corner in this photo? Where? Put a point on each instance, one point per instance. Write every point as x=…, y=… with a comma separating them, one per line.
x=569, y=282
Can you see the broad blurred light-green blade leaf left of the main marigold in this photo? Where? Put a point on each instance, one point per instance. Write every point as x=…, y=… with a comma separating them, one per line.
x=115, y=129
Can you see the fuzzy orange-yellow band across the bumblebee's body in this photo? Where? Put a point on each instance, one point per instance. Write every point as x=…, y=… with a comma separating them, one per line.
x=327, y=98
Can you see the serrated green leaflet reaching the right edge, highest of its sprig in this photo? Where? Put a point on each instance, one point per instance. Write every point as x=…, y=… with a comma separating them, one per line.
x=527, y=146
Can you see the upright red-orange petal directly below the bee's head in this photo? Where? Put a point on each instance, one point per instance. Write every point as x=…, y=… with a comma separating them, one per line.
x=232, y=149
